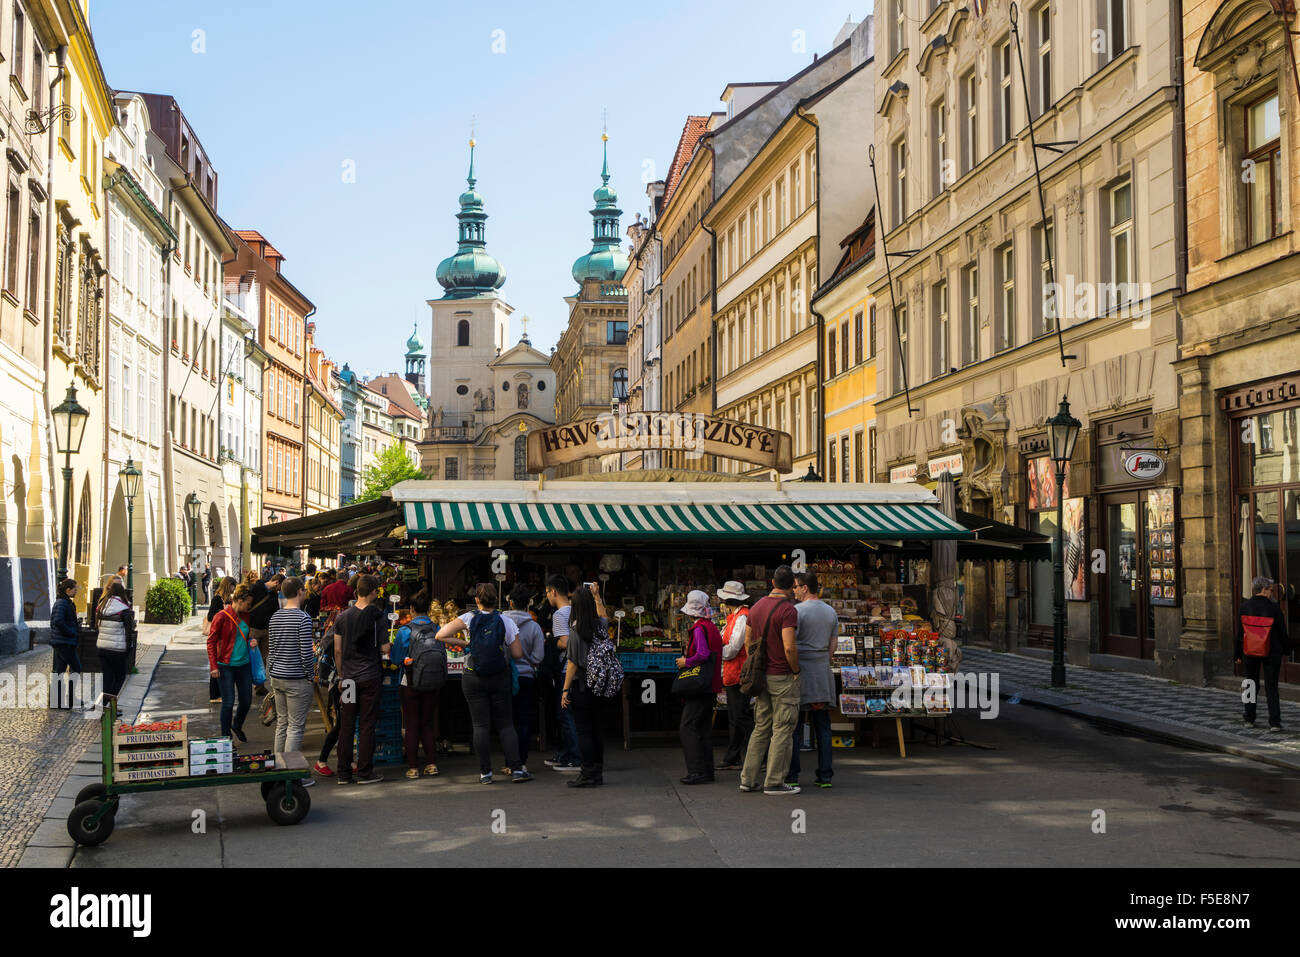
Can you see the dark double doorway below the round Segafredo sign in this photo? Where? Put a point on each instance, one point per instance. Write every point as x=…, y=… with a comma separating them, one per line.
x=1128, y=617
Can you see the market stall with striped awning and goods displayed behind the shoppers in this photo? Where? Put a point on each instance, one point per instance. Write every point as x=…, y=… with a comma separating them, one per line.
x=649, y=544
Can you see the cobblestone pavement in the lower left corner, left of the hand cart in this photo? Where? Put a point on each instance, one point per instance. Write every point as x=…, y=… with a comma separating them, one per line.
x=38, y=748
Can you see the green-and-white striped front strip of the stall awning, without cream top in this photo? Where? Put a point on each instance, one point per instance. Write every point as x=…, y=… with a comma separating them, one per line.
x=574, y=521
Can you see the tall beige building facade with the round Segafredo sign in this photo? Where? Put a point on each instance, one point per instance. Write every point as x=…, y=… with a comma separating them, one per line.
x=983, y=347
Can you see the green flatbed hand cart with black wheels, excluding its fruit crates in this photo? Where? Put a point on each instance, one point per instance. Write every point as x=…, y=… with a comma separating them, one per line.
x=93, y=817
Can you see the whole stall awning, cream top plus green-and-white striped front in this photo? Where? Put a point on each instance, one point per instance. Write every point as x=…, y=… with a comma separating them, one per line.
x=662, y=512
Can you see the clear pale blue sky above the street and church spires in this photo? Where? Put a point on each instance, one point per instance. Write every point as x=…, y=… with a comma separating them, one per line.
x=287, y=93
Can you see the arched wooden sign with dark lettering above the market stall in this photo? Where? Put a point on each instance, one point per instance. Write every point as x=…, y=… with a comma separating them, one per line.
x=690, y=432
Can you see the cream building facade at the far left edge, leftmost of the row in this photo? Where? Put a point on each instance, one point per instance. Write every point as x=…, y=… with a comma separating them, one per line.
x=28, y=508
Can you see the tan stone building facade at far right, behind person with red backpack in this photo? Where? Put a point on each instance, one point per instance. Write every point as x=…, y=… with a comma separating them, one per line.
x=1240, y=360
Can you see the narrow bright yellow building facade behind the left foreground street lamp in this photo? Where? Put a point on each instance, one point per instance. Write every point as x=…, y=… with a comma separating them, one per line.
x=79, y=326
